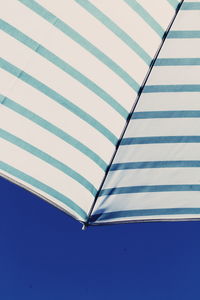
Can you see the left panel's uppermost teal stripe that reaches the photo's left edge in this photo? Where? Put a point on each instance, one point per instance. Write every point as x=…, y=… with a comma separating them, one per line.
x=66, y=68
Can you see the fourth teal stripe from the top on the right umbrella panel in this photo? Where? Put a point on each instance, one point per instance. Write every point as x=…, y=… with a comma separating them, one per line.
x=177, y=88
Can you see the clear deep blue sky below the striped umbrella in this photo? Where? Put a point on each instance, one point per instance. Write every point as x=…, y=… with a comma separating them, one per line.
x=44, y=255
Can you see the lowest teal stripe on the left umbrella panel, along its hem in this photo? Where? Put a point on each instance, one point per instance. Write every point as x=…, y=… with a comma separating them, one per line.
x=43, y=187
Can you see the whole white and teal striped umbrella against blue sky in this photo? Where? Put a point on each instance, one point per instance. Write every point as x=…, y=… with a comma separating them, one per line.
x=100, y=109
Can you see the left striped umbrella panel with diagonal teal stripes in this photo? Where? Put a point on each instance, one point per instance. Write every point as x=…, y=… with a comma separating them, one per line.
x=71, y=72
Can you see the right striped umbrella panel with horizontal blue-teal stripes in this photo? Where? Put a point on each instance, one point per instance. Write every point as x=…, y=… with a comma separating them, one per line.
x=156, y=172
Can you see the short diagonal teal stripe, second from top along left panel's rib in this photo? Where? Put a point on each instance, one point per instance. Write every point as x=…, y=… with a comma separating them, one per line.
x=146, y=16
